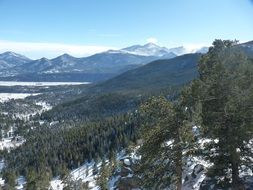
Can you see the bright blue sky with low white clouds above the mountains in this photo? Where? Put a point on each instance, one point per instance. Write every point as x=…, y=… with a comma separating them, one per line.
x=48, y=28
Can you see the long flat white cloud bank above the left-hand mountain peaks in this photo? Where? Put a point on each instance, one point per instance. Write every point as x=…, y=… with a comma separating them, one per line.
x=50, y=50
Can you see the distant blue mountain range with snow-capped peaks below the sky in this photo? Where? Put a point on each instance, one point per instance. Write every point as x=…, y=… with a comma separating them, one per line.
x=94, y=68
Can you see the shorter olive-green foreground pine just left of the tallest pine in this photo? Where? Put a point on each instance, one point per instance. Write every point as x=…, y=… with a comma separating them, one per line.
x=165, y=134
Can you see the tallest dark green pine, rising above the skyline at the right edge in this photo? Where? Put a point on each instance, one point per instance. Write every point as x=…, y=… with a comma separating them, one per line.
x=224, y=97
